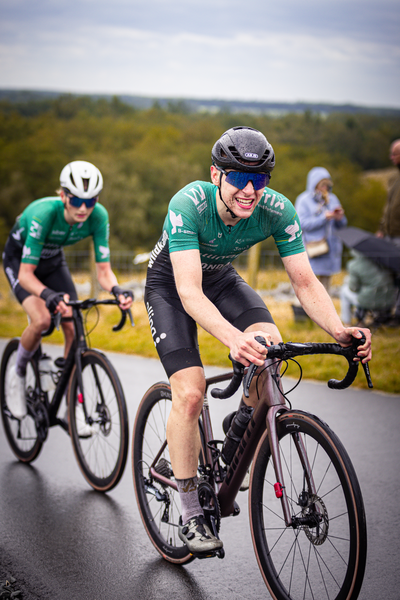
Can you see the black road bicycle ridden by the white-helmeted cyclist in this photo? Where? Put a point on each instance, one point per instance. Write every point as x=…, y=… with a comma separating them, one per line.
x=97, y=418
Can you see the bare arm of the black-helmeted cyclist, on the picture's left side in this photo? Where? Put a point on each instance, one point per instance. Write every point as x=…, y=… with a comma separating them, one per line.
x=188, y=278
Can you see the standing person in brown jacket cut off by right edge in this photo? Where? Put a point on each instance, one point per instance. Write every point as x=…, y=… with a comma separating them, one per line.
x=390, y=222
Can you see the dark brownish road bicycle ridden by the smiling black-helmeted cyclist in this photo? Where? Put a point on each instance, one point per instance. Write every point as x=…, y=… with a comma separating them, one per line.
x=307, y=517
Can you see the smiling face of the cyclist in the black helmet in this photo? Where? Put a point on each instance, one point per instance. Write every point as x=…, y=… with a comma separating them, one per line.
x=241, y=202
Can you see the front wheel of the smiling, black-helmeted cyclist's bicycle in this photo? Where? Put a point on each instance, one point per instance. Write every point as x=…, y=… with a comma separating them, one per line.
x=325, y=561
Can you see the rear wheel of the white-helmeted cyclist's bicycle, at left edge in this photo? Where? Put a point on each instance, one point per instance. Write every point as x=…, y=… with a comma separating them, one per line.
x=21, y=434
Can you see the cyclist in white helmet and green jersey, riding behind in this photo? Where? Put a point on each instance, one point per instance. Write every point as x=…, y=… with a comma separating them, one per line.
x=36, y=268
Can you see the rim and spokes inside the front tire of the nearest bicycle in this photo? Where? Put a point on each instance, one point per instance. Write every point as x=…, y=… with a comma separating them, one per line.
x=316, y=557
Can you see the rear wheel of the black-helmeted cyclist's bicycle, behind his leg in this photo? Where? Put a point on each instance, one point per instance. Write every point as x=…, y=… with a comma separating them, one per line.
x=149, y=434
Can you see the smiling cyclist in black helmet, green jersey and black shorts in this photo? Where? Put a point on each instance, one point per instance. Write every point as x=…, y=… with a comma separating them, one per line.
x=190, y=280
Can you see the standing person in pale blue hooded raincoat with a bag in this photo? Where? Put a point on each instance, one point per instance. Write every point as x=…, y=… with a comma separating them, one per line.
x=320, y=213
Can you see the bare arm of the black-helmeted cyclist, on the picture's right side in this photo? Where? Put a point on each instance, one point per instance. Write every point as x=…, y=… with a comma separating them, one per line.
x=318, y=305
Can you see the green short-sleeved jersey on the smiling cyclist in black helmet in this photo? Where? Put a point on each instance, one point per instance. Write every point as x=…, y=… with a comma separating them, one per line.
x=193, y=222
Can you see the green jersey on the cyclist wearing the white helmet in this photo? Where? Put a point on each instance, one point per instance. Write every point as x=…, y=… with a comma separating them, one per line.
x=41, y=230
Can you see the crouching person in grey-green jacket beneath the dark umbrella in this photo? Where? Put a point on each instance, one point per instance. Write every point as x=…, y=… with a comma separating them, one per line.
x=368, y=286
